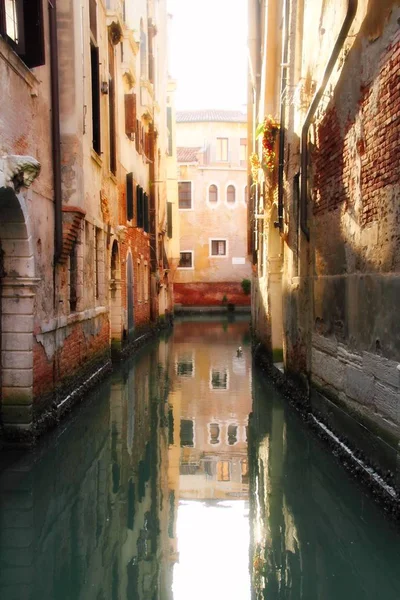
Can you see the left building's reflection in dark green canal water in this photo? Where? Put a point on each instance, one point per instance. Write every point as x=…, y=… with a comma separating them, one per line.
x=85, y=517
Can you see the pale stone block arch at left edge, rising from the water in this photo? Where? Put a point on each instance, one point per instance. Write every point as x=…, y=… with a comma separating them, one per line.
x=17, y=294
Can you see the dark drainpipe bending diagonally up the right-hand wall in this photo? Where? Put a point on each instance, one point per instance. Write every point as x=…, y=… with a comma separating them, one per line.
x=351, y=13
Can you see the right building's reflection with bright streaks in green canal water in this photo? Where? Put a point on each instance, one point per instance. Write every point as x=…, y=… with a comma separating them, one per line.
x=314, y=535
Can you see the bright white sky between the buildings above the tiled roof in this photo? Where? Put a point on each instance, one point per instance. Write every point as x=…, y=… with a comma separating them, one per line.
x=208, y=53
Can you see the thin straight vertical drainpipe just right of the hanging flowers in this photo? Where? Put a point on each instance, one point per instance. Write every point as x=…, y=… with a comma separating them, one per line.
x=284, y=66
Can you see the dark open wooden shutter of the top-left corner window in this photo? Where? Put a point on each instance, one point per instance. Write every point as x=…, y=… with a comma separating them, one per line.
x=33, y=54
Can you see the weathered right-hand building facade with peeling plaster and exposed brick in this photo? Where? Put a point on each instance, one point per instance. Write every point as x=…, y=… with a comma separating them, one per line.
x=324, y=219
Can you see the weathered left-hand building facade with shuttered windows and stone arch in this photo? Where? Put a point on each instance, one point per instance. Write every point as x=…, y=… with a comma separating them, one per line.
x=83, y=195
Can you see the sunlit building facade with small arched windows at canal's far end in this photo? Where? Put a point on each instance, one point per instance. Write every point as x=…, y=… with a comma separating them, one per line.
x=212, y=150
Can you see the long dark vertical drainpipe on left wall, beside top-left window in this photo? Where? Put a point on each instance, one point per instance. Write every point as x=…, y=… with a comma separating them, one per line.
x=55, y=127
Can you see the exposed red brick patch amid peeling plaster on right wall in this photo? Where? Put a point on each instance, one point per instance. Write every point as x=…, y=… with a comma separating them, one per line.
x=372, y=136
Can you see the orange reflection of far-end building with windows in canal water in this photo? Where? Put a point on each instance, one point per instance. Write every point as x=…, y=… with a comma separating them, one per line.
x=213, y=387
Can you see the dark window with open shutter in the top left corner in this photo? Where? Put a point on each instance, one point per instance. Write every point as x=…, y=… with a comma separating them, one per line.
x=21, y=24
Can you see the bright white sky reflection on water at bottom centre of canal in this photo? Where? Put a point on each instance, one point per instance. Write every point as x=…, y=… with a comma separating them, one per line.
x=213, y=551
